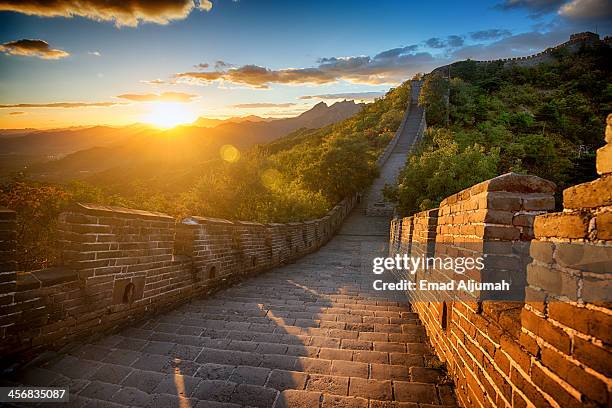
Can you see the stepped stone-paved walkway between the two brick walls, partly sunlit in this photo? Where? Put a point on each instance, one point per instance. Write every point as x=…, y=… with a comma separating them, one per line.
x=309, y=334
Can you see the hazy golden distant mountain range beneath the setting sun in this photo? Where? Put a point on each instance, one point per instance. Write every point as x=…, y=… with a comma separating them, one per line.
x=104, y=153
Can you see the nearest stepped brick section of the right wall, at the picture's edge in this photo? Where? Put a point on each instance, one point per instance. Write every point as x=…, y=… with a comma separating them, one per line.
x=568, y=320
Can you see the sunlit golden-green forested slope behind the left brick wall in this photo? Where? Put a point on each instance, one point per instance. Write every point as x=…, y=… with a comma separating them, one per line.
x=298, y=177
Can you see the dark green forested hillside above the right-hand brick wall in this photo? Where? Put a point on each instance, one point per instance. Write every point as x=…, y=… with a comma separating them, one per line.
x=545, y=120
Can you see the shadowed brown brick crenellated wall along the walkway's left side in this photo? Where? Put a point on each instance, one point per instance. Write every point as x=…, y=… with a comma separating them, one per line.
x=120, y=265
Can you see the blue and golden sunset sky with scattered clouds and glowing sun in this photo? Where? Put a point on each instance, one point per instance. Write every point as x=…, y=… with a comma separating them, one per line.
x=74, y=63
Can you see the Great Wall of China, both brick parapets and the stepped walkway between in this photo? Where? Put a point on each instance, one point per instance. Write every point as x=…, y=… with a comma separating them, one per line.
x=143, y=304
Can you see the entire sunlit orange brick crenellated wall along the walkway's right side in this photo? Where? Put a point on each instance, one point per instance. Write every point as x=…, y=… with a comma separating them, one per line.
x=551, y=346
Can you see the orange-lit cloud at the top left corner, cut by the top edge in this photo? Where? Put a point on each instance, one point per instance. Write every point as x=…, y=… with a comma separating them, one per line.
x=121, y=12
